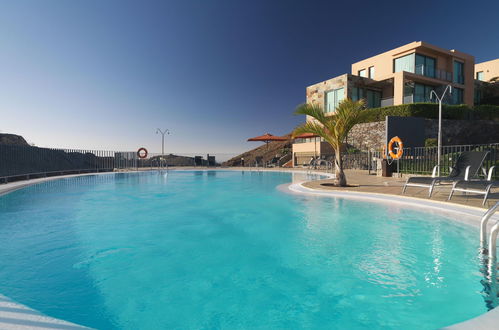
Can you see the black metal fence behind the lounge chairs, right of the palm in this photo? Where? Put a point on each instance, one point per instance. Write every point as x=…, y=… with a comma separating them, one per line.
x=421, y=160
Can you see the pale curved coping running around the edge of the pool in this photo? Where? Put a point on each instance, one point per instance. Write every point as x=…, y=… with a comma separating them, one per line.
x=484, y=321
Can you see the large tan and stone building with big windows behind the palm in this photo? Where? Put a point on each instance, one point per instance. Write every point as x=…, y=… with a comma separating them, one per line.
x=406, y=74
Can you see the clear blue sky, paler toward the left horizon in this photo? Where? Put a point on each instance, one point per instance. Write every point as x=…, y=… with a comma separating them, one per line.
x=105, y=74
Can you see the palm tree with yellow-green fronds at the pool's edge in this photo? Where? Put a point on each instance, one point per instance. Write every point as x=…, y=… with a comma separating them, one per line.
x=333, y=129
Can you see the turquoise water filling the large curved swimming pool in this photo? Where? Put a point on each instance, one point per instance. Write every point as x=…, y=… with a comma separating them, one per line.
x=228, y=250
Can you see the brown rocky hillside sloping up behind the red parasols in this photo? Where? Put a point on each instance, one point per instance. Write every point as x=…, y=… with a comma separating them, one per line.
x=267, y=152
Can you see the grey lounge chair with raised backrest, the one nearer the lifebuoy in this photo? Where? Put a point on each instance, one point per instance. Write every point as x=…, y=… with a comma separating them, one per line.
x=467, y=166
